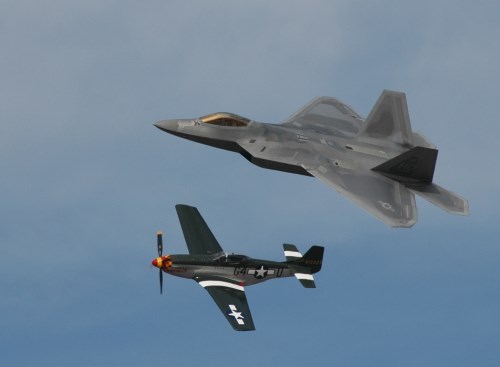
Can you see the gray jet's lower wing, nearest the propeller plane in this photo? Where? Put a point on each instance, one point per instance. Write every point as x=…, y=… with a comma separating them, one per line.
x=387, y=200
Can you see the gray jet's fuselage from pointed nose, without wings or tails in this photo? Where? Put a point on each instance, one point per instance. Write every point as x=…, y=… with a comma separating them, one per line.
x=283, y=148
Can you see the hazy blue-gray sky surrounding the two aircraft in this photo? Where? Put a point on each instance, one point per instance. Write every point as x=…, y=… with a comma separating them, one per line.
x=87, y=181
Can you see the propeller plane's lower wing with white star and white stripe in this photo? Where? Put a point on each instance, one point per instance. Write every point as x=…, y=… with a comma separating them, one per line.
x=231, y=299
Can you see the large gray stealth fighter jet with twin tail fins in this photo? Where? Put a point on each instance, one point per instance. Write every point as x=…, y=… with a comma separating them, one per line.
x=377, y=162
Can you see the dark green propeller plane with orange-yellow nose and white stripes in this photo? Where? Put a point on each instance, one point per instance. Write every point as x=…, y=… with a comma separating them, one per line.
x=225, y=275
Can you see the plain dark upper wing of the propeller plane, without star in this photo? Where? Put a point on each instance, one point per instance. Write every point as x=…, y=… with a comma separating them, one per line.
x=199, y=238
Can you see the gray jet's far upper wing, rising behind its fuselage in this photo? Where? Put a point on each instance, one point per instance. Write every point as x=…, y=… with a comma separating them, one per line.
x=326, y=115
